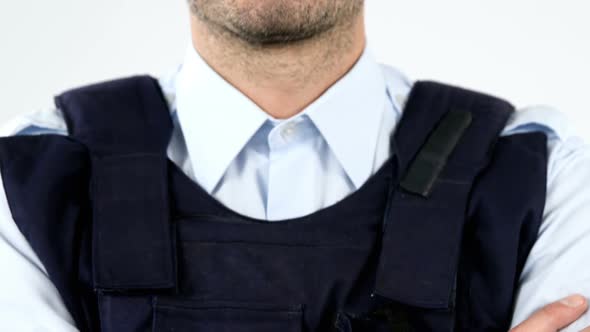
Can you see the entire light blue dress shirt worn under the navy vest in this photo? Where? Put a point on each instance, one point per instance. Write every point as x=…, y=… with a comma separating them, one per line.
x=274, y=169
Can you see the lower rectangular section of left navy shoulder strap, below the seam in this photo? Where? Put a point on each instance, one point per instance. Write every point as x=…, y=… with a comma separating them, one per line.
x=132, y=246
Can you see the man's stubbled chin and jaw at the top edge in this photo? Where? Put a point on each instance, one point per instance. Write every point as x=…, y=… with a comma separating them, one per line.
x=275, y=22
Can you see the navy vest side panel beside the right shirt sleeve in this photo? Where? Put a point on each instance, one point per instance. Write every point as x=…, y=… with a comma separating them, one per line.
x=504, y=216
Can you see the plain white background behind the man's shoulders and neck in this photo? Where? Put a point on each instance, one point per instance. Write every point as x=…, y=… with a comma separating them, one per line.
x=528, y=51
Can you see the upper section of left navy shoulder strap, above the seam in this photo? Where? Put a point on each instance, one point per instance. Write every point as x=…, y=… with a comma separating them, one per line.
x=118, y=117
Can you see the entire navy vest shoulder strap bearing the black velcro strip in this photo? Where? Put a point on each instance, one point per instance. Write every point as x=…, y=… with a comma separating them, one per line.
x=443, y=141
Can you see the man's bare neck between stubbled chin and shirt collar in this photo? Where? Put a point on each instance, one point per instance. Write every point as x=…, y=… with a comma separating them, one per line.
x=281, y=79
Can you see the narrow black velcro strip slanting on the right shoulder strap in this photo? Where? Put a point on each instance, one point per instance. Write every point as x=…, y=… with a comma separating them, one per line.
x=433, y=156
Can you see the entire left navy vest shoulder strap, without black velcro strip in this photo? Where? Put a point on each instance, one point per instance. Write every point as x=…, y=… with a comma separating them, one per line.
x=126, y=126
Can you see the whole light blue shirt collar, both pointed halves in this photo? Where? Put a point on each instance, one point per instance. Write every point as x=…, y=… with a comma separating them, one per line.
x=217, y=120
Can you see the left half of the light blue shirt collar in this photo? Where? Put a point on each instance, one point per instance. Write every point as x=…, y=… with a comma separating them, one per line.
x=216, y=119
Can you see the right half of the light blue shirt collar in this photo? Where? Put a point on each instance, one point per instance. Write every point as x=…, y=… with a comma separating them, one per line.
x=348, y=116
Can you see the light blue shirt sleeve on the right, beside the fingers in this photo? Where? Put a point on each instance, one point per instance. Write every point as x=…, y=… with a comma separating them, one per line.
x=558, y=264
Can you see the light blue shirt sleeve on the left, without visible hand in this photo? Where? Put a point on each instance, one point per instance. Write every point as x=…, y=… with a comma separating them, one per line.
x=28, y=299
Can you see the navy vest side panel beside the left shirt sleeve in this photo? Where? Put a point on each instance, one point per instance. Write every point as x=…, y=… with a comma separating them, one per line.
x=46, y=183
